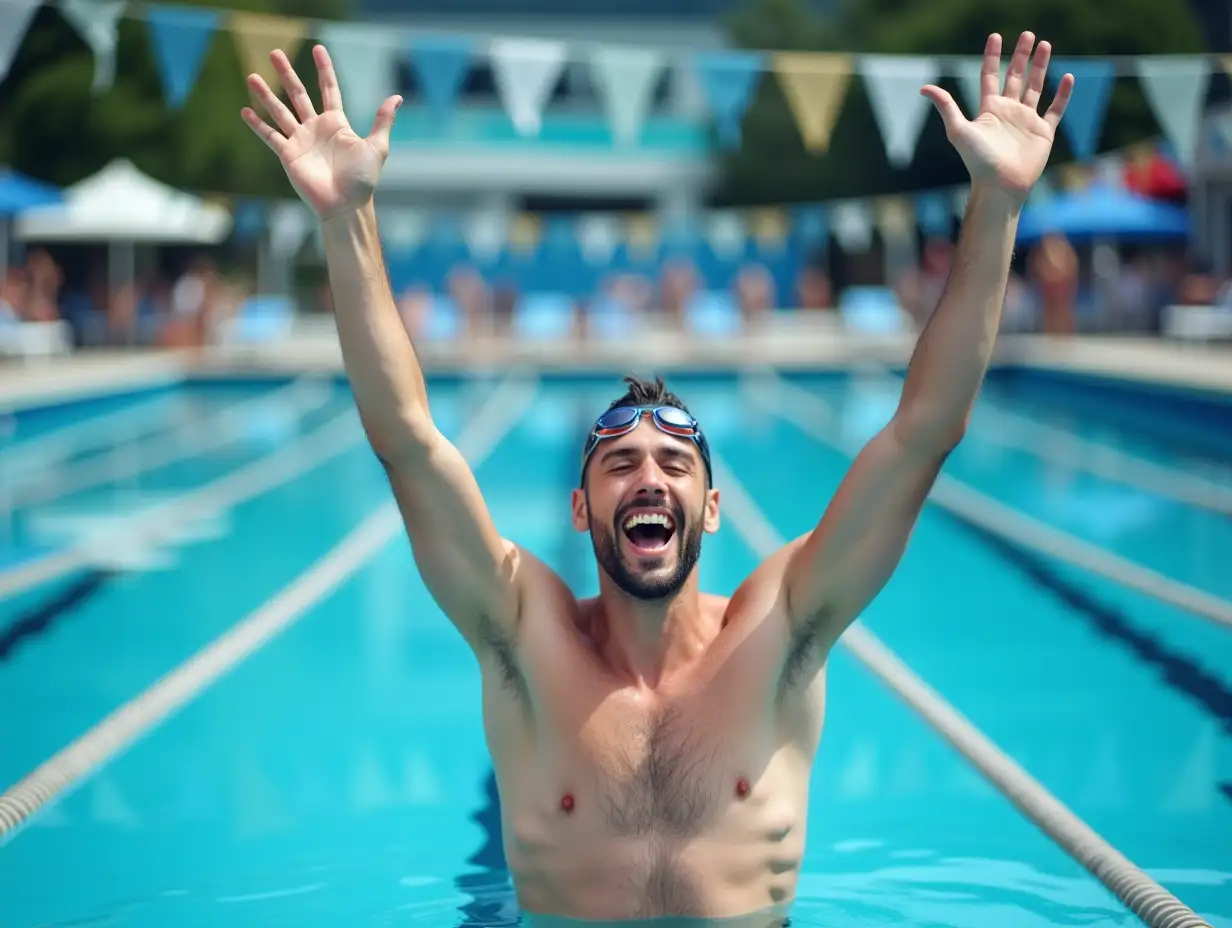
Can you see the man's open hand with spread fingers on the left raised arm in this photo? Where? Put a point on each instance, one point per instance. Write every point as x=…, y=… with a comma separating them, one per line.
x=331, y=167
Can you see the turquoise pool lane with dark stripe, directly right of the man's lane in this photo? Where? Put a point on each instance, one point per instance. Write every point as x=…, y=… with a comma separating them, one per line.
x=1092, y=688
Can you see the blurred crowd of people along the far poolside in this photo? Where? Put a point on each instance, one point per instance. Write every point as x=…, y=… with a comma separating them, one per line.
x=1054, y=289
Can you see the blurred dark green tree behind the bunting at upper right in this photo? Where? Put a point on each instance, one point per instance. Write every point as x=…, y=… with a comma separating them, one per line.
x=773, y=165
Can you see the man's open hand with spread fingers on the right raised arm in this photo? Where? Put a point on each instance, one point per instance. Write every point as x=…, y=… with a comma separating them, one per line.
x=1007, y=146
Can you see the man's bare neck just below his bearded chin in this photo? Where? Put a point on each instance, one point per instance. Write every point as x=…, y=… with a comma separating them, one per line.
x=649, y=640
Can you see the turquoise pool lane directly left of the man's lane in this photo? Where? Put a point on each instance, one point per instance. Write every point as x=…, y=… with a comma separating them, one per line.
x=91, y=654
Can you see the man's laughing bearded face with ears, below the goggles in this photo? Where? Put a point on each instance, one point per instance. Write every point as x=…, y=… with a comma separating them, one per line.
x=646, y=506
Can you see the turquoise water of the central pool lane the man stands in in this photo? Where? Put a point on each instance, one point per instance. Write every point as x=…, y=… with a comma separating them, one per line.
x=341, y=773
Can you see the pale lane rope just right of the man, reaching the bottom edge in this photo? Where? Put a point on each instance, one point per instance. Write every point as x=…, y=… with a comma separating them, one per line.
x=1150, y=902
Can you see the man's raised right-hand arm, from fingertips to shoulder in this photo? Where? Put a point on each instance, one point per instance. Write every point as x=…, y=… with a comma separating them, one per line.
x=832, y=574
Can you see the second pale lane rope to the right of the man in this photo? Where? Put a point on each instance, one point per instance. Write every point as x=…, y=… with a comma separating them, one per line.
x=808, y=411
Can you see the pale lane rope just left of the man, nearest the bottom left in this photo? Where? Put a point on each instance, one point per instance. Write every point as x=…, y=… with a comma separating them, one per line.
x=67, y=770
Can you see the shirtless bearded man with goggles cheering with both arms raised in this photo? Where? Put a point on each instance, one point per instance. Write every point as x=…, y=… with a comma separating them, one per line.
x=654, y=746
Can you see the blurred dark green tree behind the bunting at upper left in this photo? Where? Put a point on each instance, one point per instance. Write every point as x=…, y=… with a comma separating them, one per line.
x=55, y=128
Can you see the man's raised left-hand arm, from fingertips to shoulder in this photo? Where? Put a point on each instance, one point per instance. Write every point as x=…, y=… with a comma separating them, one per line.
x=466, y=565
